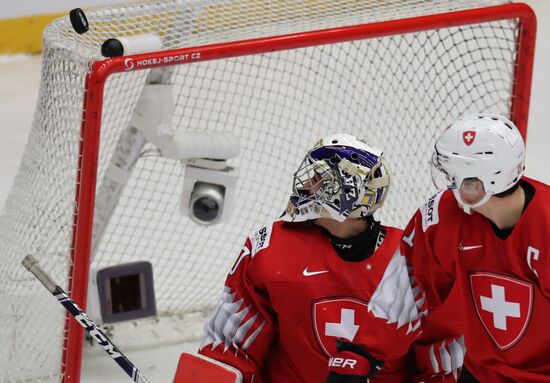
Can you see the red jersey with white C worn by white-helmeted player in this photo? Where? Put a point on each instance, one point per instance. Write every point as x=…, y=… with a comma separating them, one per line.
x=500, y=288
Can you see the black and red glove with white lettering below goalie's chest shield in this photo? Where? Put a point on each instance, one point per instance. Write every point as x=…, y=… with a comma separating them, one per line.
x=352, y=363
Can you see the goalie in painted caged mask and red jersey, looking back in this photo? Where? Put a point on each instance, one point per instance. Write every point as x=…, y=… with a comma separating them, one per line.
x=324, y=291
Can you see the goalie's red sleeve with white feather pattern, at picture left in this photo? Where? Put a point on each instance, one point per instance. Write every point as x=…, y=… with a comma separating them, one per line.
x=243, y=326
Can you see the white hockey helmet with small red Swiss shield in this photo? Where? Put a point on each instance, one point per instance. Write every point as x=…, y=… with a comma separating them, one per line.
x=485, y=147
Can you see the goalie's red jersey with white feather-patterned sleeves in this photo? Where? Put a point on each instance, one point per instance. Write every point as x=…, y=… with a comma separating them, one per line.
x=289, y=296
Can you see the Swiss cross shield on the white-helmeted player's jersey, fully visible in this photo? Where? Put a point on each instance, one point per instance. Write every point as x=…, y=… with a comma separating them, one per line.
x=504, y=306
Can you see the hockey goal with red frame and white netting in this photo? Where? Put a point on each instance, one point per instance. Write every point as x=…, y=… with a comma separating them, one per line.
x=277, y=74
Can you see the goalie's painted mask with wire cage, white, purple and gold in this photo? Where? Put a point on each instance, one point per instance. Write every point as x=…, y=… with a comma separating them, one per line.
x=340, y=177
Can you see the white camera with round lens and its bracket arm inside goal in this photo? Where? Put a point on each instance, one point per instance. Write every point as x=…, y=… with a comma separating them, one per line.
x=209, y=184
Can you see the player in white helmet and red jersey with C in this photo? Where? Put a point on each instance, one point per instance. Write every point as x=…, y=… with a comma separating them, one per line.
x=479, y=250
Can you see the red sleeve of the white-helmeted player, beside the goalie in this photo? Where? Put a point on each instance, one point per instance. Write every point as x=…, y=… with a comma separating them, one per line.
x=439, y=351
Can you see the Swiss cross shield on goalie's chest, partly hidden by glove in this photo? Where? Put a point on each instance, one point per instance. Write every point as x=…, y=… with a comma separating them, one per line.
x=335, y=318
